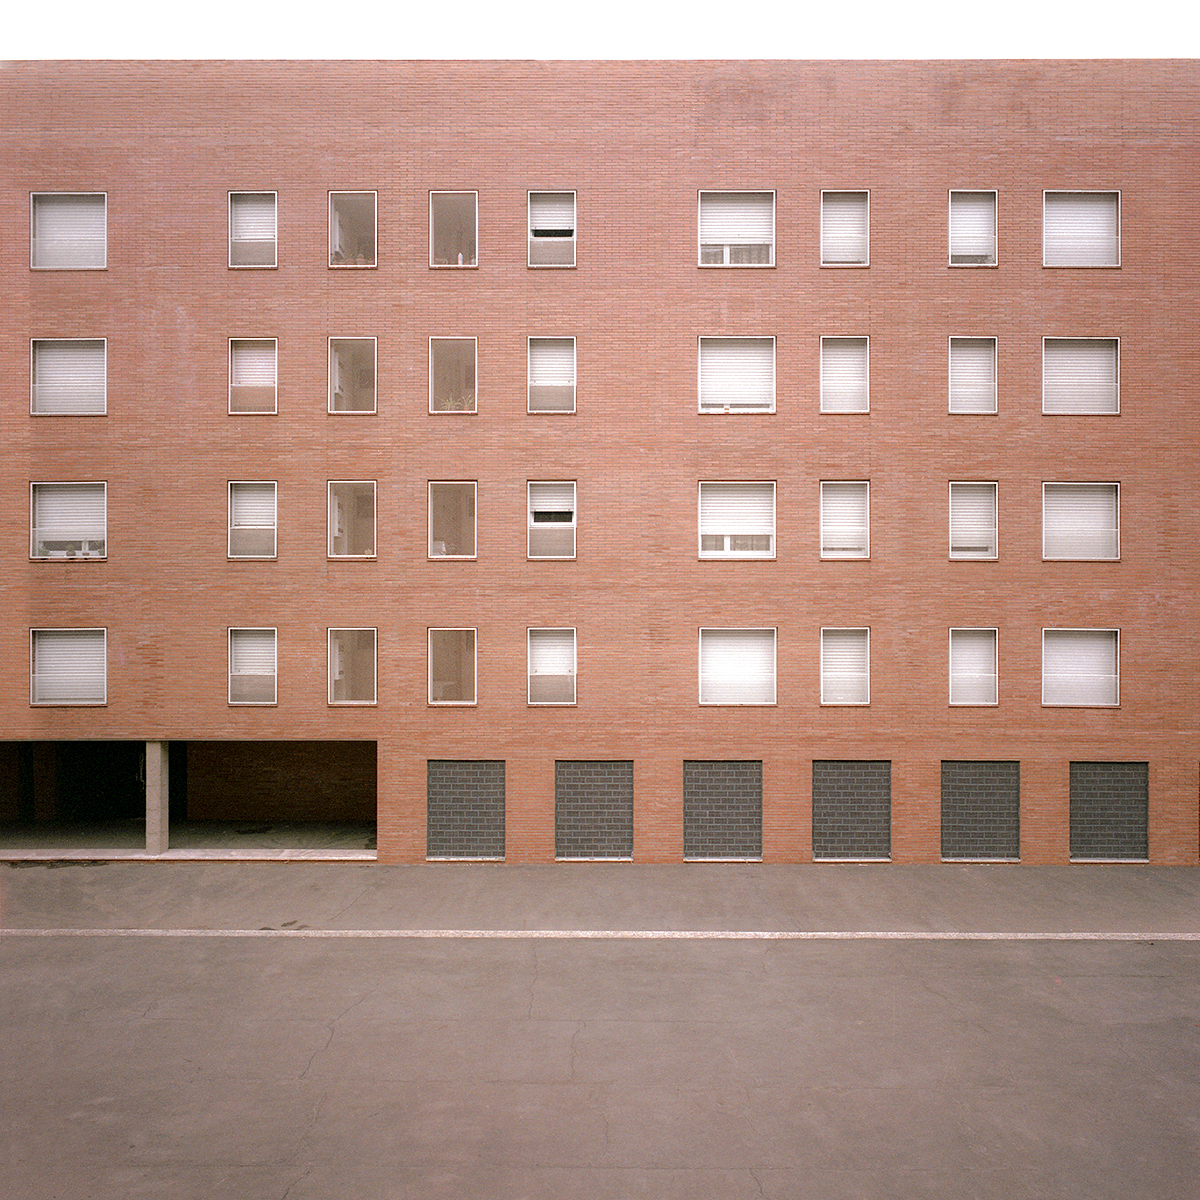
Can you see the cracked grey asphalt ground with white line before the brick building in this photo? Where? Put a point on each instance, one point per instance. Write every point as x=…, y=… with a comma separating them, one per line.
x=326, y=1031
